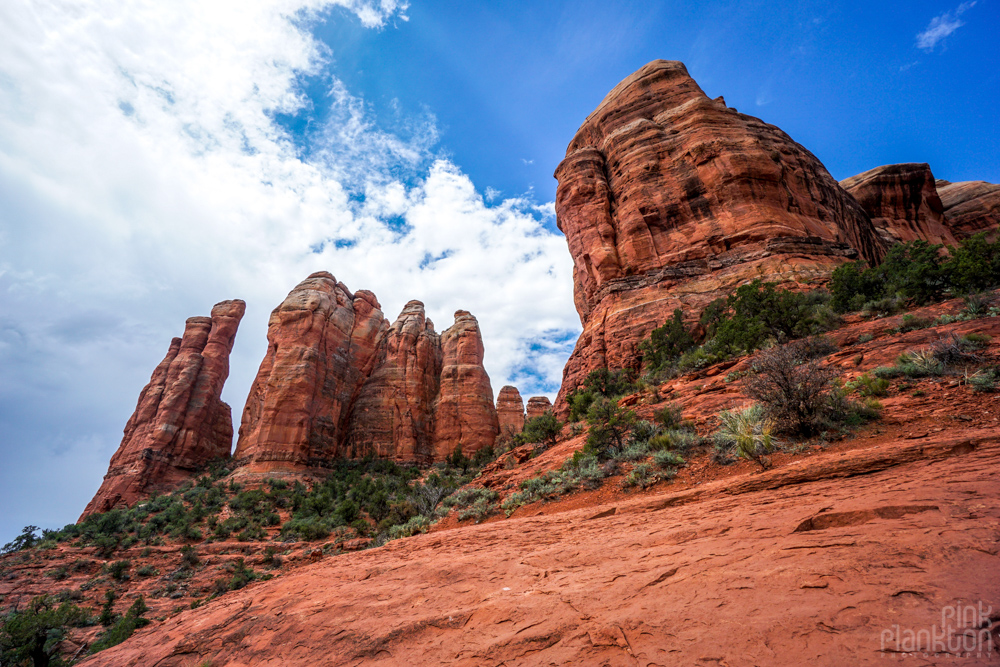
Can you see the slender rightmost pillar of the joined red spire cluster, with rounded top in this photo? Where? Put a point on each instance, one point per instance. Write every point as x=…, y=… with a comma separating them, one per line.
x=464, y=413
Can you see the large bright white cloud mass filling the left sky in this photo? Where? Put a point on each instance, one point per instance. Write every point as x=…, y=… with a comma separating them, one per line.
x=143, y=178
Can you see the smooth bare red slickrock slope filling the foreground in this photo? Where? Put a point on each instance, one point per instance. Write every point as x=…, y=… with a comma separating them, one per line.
x=813, y=564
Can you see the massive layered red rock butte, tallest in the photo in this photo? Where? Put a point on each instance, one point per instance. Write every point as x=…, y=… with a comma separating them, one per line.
x=669, y=199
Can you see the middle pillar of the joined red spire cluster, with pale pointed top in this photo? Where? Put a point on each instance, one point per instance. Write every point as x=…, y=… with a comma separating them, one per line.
x=393, y=416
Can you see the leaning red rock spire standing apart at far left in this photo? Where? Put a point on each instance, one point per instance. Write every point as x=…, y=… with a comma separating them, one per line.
x=180, y=422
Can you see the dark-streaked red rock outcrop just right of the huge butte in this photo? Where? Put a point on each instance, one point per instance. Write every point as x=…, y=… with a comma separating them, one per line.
x=903, y=203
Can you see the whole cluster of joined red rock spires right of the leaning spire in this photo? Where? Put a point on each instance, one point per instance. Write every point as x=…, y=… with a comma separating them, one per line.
x=339, y=381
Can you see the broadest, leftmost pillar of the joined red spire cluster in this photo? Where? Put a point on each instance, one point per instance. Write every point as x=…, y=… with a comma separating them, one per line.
x=322, y=343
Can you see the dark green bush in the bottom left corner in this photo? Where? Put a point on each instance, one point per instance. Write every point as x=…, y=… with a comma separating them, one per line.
x=31, y=635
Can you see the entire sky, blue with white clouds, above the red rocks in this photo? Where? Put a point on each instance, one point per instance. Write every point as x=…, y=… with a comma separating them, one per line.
x=158, y=158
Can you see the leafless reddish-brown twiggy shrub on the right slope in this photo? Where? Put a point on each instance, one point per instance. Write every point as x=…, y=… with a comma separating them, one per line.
x=792, y=392
